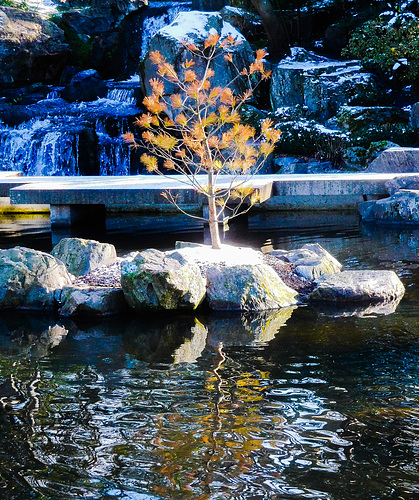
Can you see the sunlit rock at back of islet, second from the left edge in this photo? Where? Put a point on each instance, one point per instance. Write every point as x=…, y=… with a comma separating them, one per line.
x=83, y=256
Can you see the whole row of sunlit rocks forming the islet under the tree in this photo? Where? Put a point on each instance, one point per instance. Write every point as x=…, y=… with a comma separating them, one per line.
x=86, y=278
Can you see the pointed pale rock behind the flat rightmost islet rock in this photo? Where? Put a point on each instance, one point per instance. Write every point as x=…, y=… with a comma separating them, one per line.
x=311, y=261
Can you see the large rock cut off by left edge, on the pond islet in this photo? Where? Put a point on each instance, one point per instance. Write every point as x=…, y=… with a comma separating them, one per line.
x=28, y=279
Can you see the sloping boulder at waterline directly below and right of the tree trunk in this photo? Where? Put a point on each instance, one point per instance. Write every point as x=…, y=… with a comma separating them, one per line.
x=247, y=288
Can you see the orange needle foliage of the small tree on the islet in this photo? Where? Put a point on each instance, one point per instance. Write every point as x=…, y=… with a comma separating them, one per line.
x=198, y=128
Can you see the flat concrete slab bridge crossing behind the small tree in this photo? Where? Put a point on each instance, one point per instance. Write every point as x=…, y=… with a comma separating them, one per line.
x=71, y=198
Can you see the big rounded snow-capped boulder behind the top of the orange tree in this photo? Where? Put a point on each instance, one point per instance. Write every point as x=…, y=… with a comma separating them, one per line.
x=194, y=27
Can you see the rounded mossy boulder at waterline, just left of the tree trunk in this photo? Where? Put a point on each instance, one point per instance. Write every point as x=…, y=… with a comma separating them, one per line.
x=155, y=281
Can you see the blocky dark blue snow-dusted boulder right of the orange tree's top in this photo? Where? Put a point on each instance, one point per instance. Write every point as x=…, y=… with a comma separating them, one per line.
x=320, y=84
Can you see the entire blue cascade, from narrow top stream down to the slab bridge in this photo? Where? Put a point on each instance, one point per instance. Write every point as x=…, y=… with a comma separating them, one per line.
x=55, y=137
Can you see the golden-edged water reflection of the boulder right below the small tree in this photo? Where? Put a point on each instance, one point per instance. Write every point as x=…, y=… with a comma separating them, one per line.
x=240, y=329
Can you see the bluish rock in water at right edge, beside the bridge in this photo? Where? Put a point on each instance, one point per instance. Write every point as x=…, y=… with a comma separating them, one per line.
x=400, y=208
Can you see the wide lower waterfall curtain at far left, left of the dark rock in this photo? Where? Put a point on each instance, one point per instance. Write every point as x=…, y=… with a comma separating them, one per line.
x=39, y=147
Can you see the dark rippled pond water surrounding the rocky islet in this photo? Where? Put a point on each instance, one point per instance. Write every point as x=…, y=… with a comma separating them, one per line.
x=299, y=403
